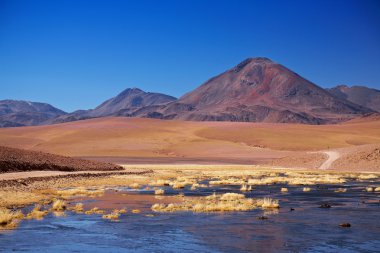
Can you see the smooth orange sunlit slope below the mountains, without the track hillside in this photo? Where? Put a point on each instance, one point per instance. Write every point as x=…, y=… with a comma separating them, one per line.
x=133, y=137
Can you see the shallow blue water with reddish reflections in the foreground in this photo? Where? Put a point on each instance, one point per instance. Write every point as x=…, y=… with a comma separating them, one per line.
x=306, y=229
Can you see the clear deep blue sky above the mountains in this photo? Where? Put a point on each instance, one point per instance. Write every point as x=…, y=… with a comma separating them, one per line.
x=76, y=54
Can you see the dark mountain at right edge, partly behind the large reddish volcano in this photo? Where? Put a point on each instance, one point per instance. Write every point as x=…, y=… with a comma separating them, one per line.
x=360, y=95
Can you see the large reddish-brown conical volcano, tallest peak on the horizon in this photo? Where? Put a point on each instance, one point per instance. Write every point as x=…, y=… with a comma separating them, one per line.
x=258, y=90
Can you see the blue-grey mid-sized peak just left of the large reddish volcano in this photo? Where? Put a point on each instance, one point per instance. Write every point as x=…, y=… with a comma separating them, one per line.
x=124, y=103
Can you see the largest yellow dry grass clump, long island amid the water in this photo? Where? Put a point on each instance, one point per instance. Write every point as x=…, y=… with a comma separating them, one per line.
x=227, y=202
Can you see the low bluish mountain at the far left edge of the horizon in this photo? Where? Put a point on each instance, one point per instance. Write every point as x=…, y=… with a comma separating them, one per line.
x=23, y=113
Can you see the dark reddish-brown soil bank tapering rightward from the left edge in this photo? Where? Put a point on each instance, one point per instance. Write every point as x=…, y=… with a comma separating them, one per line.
x=15, y=160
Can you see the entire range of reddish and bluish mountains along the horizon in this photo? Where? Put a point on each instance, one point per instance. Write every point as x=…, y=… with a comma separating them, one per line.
x=255, y=90
